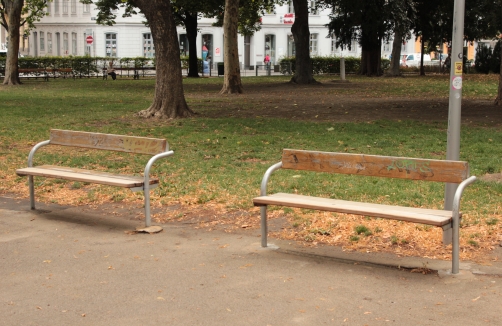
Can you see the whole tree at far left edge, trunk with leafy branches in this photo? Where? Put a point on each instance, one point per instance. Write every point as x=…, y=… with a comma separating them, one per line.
x=13, y=15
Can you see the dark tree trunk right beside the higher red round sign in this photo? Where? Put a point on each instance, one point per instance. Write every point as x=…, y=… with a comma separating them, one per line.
x=301, y=35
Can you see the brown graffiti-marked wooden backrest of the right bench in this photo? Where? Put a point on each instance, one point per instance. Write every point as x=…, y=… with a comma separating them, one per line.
x=375, y=165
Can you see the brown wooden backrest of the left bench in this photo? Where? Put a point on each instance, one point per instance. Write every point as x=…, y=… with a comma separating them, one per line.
x=129, y=144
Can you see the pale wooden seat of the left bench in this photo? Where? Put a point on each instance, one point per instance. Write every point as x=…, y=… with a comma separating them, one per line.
x=73, y=174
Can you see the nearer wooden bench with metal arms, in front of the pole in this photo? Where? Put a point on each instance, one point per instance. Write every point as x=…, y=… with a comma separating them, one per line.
x=456, y=172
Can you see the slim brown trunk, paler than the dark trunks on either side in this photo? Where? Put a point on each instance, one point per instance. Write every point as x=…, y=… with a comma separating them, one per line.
x=232, y=79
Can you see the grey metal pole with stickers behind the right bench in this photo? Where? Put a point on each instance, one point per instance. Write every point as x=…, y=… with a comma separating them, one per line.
x=454, y=114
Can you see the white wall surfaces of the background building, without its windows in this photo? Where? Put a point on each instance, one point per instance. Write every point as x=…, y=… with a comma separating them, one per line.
x=130, y=33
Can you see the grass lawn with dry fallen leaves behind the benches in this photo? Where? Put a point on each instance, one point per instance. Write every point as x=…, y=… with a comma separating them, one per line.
x=222, y=152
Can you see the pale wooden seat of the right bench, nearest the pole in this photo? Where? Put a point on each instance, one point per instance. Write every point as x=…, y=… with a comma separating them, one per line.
x=408, y=214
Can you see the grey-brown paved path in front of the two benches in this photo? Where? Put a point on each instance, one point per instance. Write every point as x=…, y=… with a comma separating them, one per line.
x=64, y=266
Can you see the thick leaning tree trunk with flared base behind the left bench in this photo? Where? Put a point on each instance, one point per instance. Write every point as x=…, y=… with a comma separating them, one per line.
x=169, y=99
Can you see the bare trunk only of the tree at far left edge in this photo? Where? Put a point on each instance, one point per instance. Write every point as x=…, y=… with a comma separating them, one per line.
x=13, y=16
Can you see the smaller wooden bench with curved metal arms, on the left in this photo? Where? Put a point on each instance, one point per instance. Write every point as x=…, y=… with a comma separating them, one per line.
x=159, y=148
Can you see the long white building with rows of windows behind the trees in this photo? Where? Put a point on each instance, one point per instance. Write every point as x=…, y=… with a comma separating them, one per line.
x=70, y=29
